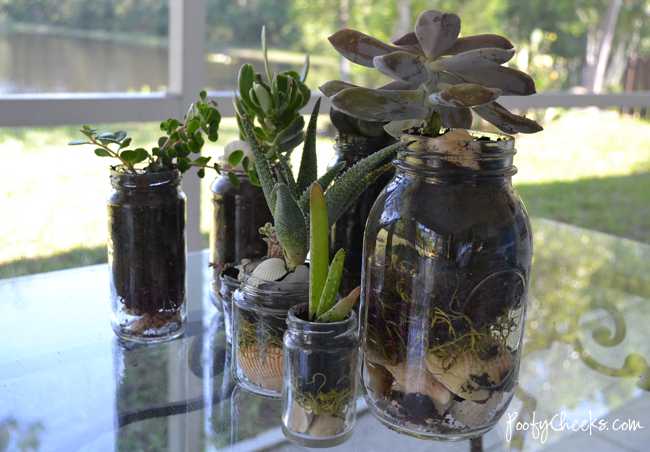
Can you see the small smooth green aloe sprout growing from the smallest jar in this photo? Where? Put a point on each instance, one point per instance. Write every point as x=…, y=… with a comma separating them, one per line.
x=324, y=283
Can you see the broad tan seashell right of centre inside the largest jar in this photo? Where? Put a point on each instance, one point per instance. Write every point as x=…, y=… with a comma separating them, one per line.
x=468, y=376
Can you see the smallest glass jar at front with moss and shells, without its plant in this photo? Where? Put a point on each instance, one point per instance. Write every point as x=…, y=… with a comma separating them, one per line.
x=319, y=396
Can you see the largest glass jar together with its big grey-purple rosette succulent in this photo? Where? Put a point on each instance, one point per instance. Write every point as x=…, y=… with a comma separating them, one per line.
x=448, y=244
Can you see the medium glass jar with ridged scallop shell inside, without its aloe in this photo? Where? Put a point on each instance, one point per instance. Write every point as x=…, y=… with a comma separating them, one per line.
x=260, y=310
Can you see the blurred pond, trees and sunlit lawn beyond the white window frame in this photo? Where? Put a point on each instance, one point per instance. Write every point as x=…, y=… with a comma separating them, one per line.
x=590, y=167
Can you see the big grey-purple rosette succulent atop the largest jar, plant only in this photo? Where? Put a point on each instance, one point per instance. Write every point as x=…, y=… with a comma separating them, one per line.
x=436, y=75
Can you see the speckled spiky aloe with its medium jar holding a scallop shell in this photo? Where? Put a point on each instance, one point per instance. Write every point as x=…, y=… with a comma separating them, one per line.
x=268, y=289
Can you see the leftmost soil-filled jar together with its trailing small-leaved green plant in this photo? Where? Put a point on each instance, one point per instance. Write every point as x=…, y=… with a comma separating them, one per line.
x=146, y=222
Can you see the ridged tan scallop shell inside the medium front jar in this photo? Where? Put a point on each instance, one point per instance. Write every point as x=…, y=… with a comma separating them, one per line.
x=263, y=370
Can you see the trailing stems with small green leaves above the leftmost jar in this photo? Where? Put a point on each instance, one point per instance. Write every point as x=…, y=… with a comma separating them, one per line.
x=174, y=150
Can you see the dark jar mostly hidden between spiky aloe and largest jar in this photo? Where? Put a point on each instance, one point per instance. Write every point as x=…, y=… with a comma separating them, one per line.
x=347, y=232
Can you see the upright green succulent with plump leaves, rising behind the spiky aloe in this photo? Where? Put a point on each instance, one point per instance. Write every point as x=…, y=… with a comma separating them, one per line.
x=273, y=106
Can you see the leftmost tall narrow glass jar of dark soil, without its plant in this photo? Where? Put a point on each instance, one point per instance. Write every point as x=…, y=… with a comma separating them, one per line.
x=147, y=255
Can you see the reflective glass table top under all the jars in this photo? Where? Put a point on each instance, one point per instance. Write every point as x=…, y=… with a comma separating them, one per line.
x=68, y=384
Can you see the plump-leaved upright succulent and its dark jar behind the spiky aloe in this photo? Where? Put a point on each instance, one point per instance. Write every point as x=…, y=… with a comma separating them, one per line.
x=239, y=207
